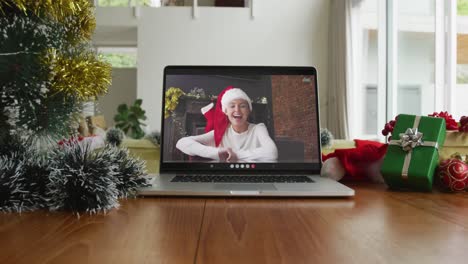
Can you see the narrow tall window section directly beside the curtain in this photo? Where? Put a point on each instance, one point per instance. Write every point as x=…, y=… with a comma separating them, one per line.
x=367, y=97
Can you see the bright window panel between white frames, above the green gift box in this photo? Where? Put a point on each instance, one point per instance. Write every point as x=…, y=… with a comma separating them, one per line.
x=414, y=73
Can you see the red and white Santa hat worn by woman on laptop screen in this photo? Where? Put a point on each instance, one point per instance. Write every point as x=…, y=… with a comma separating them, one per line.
x=215, y=118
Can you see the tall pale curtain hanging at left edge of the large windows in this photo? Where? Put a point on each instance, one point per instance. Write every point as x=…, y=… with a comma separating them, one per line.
x=339, y=59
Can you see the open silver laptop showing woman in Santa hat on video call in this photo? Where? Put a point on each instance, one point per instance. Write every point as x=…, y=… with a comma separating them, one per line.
x=241, y=131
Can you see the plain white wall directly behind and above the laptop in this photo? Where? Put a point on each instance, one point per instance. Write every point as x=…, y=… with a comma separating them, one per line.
x=289, y=33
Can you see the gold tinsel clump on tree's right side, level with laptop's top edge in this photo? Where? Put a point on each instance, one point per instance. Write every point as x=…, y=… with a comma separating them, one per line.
x=84, y=77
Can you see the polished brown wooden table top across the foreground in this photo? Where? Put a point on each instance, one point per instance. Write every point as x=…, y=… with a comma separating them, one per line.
x=376, y=226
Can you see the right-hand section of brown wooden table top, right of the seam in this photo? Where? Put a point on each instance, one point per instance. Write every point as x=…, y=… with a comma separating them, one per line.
x=376, y=226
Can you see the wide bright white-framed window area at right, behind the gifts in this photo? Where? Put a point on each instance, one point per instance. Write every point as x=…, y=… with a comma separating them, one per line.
x=407, y=57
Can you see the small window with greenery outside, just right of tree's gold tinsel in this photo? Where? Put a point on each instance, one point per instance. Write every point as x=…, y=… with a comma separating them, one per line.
x=119, y=57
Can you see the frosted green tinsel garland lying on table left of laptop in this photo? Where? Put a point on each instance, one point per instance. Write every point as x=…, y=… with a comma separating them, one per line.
x=75, y=176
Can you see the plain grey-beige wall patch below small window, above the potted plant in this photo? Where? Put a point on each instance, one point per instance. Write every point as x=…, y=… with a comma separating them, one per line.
x=122, y=90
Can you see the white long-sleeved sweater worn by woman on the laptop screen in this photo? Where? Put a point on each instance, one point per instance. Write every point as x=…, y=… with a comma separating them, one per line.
x=252, y=145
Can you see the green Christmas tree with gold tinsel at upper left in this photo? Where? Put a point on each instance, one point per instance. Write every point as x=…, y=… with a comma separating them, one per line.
x=47, y=67
